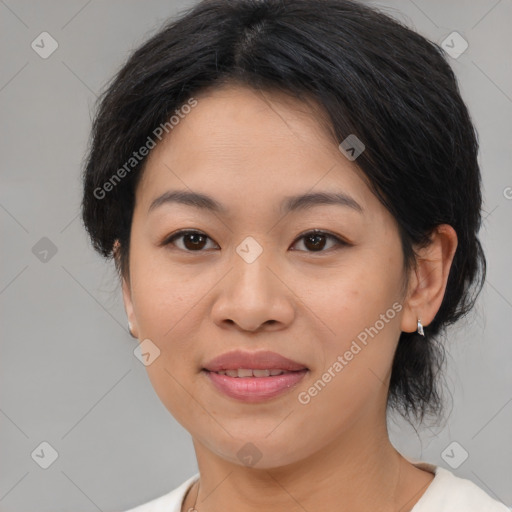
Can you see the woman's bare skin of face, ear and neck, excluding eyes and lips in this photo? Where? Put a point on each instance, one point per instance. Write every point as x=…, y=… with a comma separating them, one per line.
x=249, y=150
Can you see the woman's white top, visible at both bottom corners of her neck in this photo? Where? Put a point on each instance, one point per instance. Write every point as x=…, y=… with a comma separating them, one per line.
x=446, y=493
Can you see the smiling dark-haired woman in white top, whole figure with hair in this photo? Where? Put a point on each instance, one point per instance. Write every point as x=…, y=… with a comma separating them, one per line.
x=291, y=193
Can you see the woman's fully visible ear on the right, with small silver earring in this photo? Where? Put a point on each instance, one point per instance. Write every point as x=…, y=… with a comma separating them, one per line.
x=427, y=280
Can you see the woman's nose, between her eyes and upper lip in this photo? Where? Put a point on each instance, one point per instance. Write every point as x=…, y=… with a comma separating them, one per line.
x=254, y=296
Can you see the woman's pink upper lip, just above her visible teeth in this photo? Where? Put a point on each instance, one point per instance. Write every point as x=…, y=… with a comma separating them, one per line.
x=261, y=360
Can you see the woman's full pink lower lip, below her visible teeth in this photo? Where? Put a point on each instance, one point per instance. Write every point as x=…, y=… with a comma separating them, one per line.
x=255, y=389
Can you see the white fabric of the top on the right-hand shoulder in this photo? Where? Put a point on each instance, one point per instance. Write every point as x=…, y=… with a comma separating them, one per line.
x=450, y=493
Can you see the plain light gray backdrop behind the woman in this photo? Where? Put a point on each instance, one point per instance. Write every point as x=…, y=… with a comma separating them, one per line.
x=68, y=375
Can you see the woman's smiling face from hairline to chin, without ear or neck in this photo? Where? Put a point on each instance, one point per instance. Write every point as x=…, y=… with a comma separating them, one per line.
x=256, y=279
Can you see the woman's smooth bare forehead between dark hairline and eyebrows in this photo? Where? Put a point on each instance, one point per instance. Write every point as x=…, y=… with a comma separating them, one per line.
x=241, y=142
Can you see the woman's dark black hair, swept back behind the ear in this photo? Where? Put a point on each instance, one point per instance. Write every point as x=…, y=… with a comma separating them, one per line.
x=371, y=76
